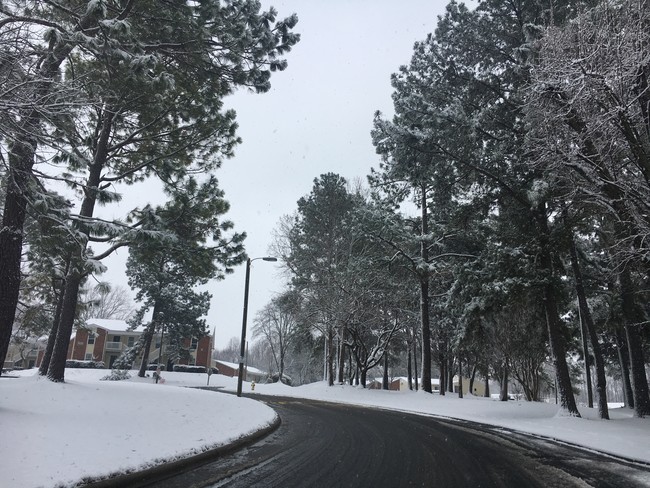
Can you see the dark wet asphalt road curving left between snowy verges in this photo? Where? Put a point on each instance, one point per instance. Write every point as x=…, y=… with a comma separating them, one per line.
x=330, y=445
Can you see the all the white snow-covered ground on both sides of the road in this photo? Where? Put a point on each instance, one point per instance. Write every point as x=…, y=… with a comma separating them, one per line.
x=56, y=434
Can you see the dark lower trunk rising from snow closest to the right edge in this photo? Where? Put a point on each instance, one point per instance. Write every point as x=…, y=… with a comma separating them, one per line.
x=633, y=318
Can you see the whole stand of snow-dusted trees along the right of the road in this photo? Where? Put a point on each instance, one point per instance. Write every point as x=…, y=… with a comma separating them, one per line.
x=505, y=227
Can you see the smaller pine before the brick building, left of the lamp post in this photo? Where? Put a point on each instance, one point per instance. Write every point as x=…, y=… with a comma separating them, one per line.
x=187, y=245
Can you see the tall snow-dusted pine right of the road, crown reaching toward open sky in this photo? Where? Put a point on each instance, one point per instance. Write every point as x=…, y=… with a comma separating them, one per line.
x=463, y=94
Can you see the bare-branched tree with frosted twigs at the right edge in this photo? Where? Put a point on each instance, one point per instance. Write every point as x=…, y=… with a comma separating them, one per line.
x=589, y=96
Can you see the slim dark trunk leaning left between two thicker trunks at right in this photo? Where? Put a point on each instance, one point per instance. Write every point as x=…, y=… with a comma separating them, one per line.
x=588, y=327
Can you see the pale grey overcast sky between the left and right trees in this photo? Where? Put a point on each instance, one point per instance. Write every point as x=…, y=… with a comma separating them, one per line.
x=315, y=119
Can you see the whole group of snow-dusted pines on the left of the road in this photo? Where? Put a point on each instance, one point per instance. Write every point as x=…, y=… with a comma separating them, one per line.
x=95, y=98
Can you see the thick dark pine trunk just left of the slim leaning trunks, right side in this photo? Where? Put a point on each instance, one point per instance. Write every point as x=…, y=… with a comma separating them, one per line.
x=553, y=321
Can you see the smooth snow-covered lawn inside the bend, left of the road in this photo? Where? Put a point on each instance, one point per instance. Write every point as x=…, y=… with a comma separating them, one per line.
x=57, y=433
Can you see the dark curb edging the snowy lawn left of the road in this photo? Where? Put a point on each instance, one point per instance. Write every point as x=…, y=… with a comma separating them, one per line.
x=147, y=476
